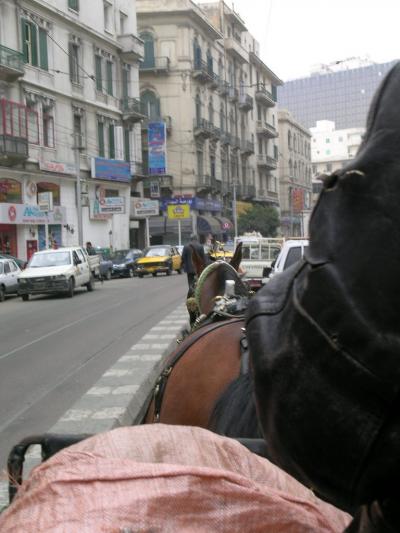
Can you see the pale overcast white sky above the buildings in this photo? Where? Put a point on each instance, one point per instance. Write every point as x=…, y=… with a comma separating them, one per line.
x=295, y=35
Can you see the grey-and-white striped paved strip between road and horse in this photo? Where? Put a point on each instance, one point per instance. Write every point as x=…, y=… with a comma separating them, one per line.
x=120, y=396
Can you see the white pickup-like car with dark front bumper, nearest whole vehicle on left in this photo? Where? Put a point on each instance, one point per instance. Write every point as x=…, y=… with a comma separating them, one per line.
x=56, y=271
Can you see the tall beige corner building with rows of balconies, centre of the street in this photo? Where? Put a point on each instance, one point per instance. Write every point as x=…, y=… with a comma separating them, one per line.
x=203, y=78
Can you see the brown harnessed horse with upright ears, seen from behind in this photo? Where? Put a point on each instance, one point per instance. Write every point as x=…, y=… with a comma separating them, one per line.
x=208, y=359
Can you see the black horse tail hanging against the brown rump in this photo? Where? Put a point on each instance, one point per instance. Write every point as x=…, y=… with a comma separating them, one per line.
x=234, y=414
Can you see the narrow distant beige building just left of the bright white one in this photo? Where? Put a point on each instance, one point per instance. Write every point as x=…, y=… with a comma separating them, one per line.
x=295, y=177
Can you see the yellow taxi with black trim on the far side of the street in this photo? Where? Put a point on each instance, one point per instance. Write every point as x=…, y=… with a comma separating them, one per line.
x=159, y=258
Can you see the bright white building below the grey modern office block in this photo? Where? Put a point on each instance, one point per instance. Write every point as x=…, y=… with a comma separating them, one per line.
x=332, y=149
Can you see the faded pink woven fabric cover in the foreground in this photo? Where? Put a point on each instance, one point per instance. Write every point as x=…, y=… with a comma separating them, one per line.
x=165, y=478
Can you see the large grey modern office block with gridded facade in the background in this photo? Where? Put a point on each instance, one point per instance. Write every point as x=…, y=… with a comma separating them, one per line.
x=343, y=96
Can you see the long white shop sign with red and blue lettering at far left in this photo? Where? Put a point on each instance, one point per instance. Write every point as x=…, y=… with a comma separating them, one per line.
x=30, y=214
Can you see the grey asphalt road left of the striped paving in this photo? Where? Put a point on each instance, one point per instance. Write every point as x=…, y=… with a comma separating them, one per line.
x=53, y=349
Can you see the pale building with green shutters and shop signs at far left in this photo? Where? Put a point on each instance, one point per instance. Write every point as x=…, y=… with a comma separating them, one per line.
x=68, y=92
